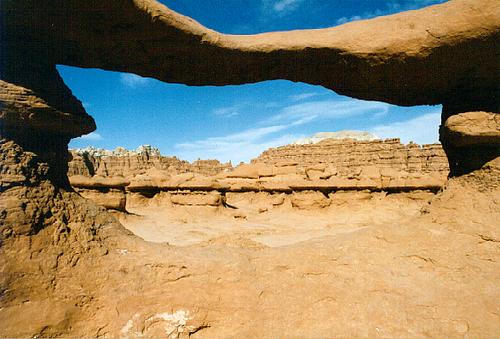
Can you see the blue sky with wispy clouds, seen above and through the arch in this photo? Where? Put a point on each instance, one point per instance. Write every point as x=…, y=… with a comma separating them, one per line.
x=239, y=122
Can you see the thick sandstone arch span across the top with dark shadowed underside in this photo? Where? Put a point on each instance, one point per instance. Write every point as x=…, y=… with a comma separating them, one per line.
x=445, y=54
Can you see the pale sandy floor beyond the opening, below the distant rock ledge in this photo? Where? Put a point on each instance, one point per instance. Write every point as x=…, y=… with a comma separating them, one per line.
x=255, y=219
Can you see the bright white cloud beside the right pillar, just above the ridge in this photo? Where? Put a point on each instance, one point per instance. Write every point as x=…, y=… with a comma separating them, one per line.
x=421, y=130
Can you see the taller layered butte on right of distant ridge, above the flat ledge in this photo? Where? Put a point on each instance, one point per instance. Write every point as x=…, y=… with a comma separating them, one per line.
x=348, y=158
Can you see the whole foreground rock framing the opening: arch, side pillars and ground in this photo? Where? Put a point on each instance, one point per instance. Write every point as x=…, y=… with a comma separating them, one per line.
x=69, y=268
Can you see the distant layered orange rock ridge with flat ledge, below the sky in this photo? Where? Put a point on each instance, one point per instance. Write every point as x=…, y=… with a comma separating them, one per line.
x=328, y=166
